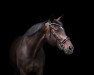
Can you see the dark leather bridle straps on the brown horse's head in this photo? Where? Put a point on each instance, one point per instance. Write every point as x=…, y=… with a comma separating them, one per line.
x=56, y=36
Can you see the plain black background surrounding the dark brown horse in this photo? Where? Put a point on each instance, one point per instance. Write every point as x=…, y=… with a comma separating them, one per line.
x=21, y=16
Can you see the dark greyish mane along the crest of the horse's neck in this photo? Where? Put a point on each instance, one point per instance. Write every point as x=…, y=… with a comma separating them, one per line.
x=35, y=28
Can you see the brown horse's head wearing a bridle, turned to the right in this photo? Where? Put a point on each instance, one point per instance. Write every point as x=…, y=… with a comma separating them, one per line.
x=56, y=36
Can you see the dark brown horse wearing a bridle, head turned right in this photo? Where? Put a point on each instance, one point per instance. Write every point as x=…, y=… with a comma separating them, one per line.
x=27, y=52
